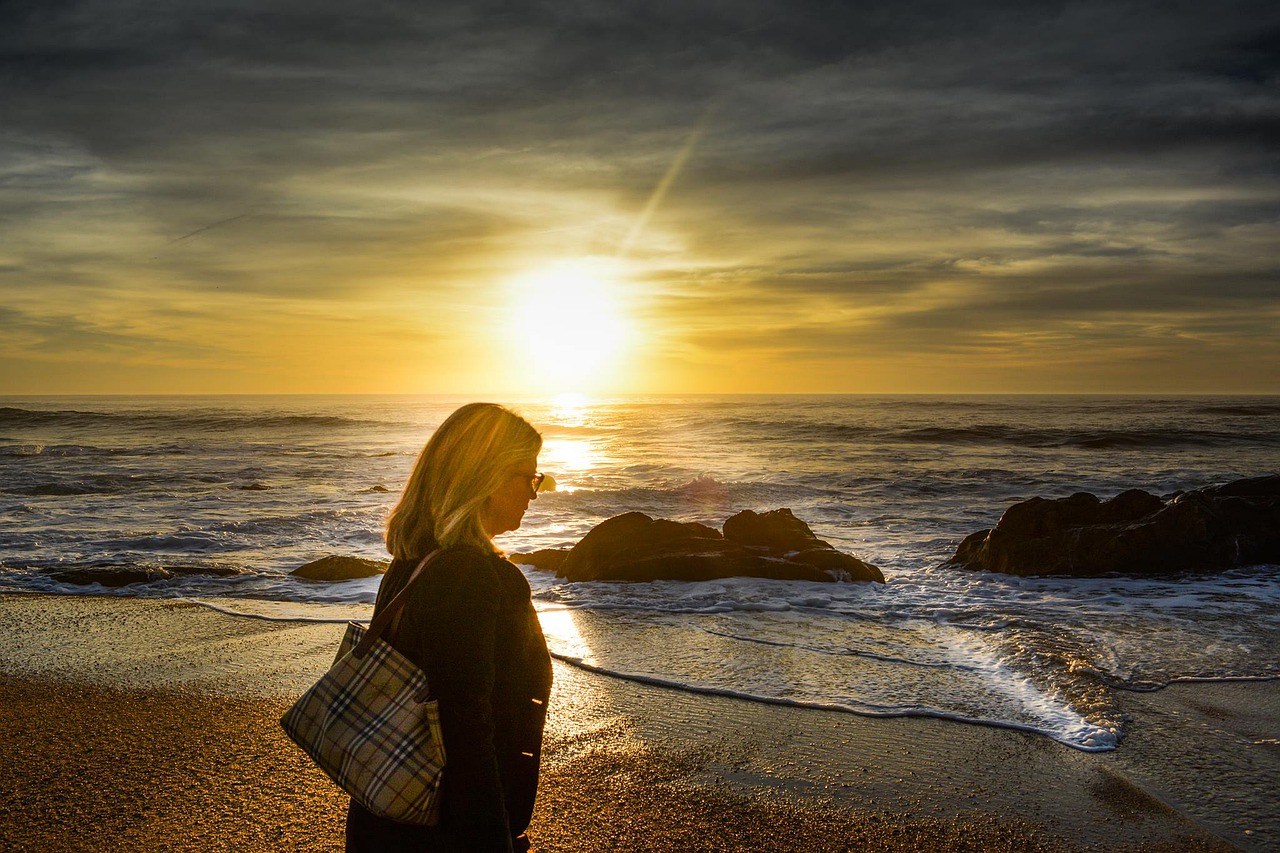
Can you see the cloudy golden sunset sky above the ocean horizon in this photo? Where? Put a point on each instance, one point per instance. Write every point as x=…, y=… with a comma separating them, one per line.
x=278, y=197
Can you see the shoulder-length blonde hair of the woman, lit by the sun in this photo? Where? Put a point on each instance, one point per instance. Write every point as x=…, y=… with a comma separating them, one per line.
x=468, y=459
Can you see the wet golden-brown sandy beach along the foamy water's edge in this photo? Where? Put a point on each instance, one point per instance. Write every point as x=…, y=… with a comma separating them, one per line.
x=147, y=724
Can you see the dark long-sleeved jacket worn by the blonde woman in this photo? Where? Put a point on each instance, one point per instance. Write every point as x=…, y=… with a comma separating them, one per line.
x=472, y=627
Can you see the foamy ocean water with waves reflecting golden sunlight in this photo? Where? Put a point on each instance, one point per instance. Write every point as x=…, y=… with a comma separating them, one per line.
x=239, y=491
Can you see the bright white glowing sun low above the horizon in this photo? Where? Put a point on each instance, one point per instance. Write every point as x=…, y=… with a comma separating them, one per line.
x=572, y=321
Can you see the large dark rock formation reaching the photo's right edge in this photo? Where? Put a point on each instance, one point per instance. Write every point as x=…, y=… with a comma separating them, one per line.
x=1136, y=533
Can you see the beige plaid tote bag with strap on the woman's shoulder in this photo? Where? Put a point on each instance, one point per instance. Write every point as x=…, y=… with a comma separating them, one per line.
x=372, y=726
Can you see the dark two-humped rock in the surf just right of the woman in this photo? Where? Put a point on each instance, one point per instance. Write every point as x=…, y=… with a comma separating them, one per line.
x=636, y=548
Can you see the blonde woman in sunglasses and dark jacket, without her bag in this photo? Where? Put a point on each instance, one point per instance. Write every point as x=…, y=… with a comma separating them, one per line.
x=470, y=624
